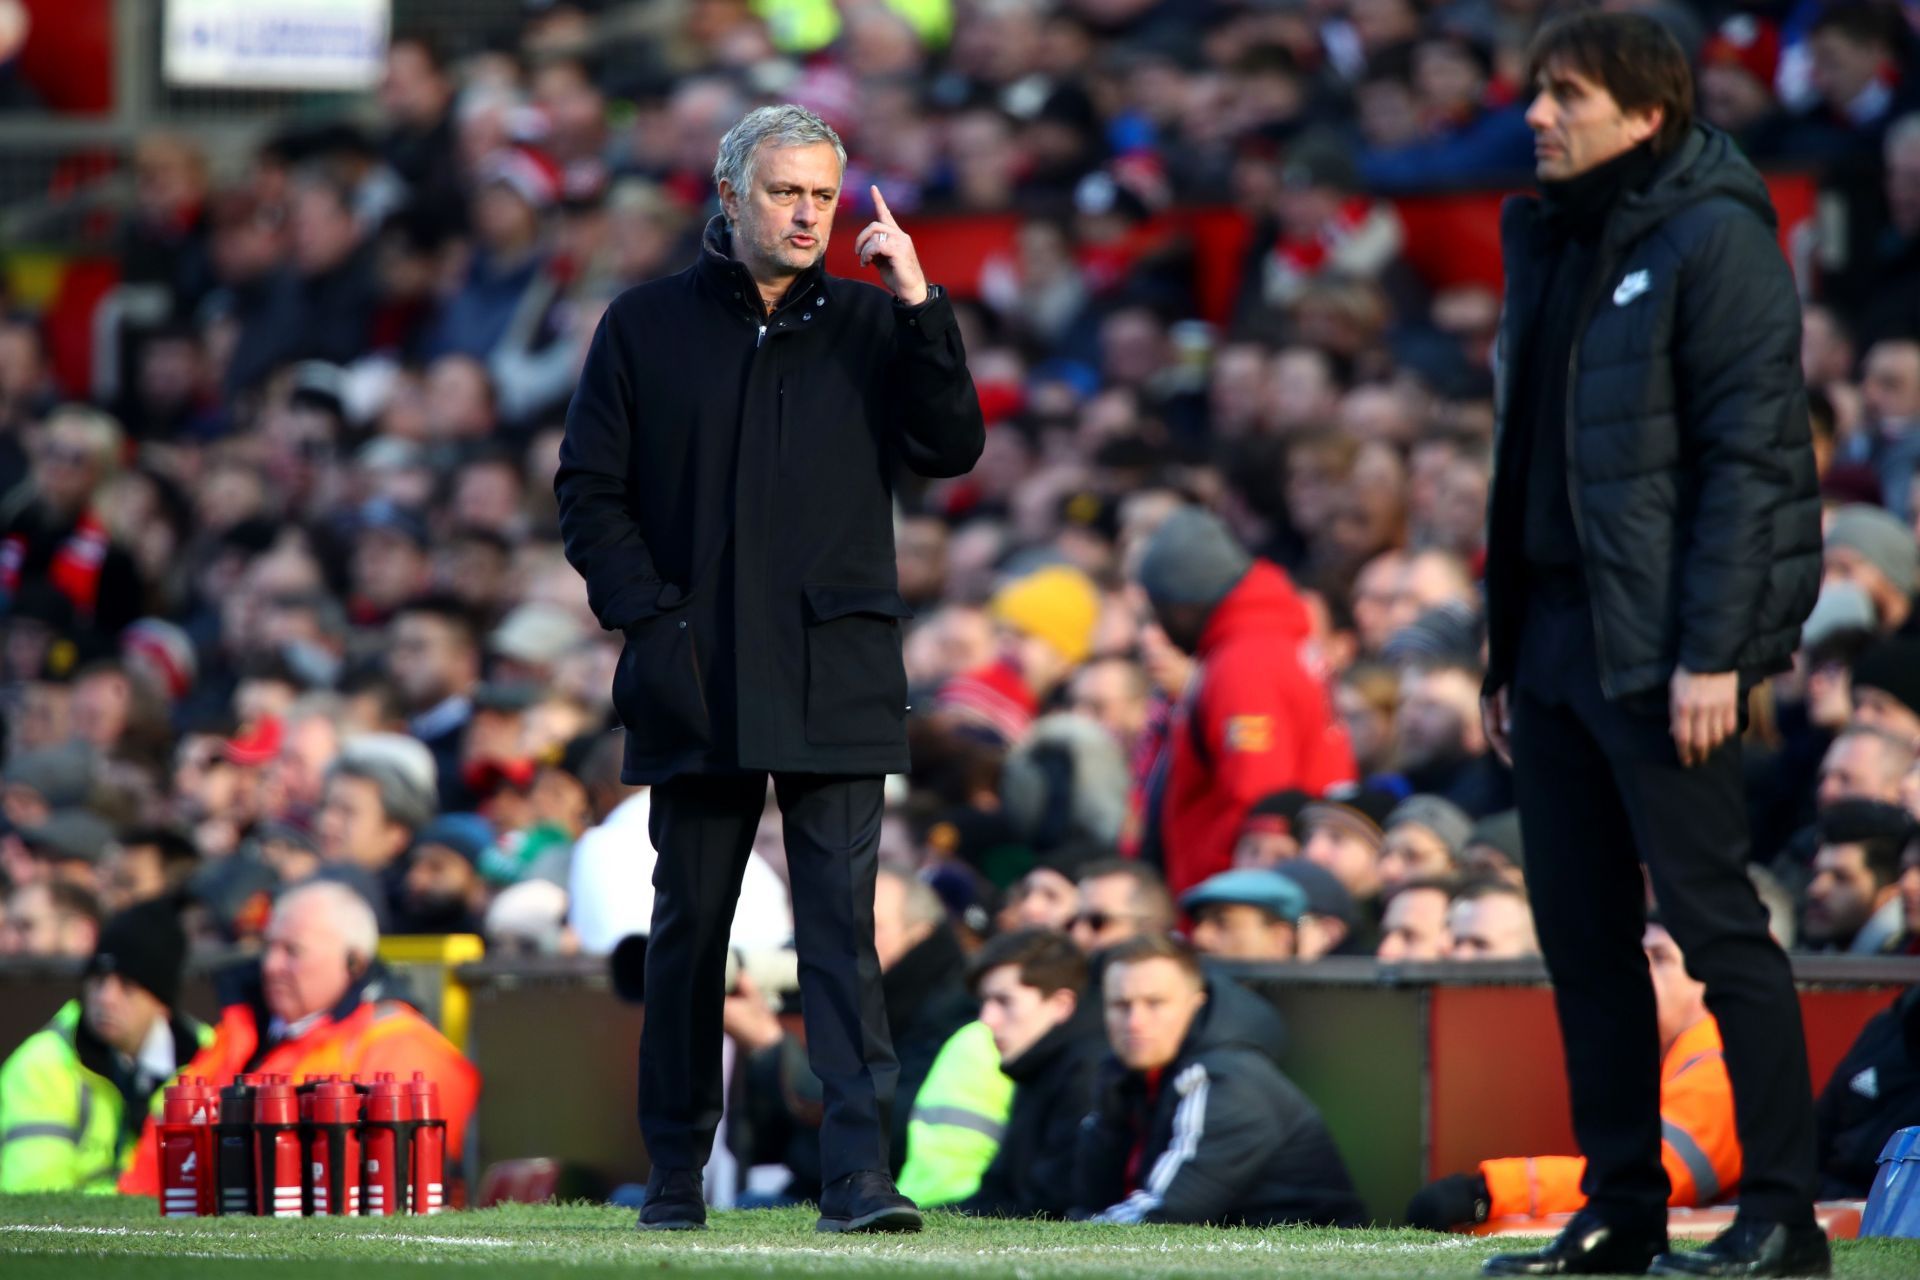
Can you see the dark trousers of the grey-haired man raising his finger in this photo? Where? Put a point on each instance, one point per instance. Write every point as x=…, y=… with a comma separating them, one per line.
x=704, y=830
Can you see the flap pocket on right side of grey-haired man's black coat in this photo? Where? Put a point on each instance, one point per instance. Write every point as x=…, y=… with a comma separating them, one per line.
x=855, y=680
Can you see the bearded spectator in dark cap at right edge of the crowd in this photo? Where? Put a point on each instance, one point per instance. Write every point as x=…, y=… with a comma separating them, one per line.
x=1854, y=903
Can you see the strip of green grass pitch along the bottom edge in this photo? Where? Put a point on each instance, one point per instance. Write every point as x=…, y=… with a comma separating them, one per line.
x=105, y=1239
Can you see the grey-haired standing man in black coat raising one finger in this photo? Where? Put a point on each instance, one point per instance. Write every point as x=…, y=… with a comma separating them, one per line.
x=727, y=492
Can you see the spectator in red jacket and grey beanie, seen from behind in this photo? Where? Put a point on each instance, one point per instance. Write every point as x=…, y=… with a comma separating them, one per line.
x=1260, y=723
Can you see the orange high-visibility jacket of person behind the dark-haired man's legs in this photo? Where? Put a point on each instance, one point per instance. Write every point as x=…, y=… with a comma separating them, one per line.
x=1700, y=1145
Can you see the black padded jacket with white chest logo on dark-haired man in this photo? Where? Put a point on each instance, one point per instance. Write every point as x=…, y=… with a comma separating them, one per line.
x=1691, y=463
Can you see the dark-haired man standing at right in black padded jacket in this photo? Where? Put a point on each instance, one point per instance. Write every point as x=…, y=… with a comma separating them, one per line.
x=1654, y=550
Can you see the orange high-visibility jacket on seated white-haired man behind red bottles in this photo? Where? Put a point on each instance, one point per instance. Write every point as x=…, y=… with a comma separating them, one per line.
x=383, y=1035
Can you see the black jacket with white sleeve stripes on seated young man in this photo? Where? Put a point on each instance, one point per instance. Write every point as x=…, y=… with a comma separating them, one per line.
x=1226, y=1139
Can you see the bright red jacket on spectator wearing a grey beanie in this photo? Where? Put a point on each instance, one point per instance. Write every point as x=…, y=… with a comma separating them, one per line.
x=1255, y=723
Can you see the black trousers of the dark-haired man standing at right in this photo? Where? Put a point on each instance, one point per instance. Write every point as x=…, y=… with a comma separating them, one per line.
x=1602, y=794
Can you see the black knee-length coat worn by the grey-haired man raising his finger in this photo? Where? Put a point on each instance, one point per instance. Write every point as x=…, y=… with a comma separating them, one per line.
x=727, y=492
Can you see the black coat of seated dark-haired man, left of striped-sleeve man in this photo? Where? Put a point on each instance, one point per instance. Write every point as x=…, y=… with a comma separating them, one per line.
x=1032, y=1175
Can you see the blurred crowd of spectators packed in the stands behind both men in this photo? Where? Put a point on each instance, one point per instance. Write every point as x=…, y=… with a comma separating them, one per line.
x=1199, y=644
